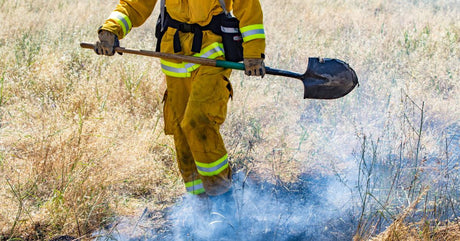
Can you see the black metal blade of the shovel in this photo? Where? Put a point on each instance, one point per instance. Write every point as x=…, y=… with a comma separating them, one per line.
x=328, y=79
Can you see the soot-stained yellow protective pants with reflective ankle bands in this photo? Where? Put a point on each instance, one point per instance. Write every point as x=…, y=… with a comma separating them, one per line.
x=194, y=109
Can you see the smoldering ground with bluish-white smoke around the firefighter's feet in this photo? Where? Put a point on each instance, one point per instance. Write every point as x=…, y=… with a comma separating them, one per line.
x=313, y=208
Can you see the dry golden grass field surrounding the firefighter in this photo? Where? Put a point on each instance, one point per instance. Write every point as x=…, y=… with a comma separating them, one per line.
x=81, y=139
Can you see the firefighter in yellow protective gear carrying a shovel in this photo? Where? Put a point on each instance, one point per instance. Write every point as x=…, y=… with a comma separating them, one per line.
x=195, y=102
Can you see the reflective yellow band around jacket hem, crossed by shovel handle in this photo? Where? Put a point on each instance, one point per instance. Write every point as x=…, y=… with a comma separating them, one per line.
x=184, y=69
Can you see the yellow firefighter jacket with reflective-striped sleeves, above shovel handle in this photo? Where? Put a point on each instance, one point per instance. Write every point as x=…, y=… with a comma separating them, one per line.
x=133, y=13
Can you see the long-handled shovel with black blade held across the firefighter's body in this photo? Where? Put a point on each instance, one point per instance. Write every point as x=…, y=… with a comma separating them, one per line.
x=325, y=78
